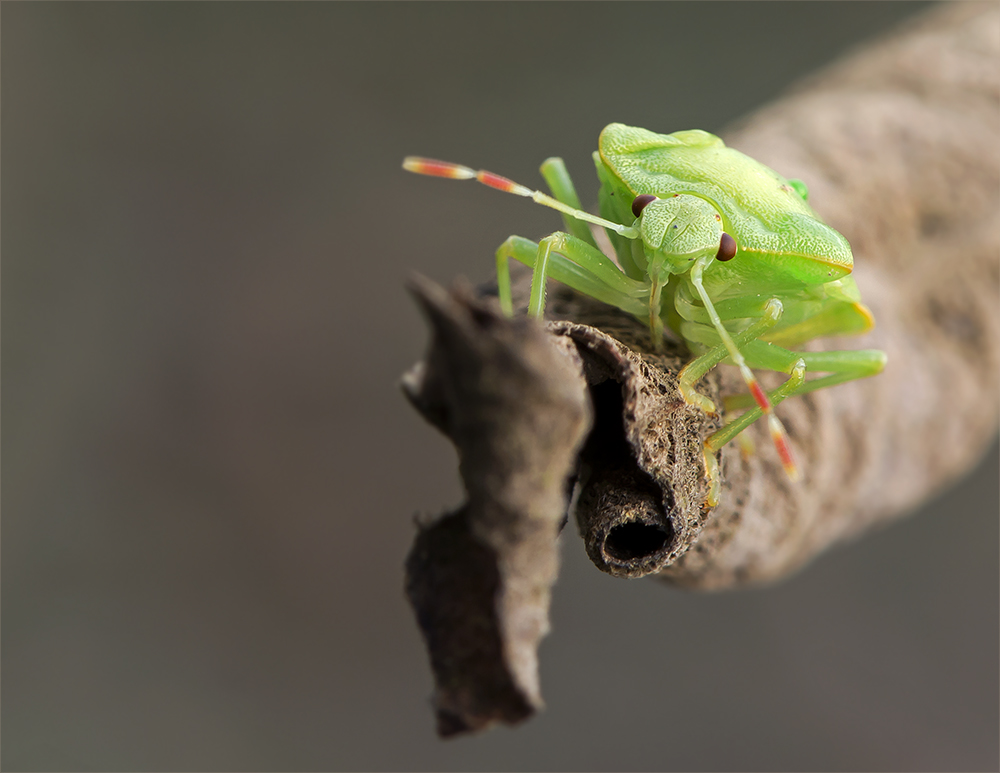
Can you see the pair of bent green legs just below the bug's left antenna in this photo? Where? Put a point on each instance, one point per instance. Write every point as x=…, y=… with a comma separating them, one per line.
x=578, y=265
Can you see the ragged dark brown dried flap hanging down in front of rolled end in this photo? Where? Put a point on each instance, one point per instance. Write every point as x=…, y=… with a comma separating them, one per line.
x=514, y=402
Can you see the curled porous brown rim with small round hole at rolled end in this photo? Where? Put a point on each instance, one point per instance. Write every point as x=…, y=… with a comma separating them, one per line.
x=643, y=490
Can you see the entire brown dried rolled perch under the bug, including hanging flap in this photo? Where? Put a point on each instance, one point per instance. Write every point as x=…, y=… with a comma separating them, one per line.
x=900, y=147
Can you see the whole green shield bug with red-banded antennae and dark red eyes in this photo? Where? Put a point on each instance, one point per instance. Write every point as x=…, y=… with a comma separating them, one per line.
x=714, y=246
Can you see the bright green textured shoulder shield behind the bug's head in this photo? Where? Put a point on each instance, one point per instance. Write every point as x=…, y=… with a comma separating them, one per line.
x=780, y=237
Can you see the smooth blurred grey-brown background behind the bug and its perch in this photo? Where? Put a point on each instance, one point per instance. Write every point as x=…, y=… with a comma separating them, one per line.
x=210, y=474
